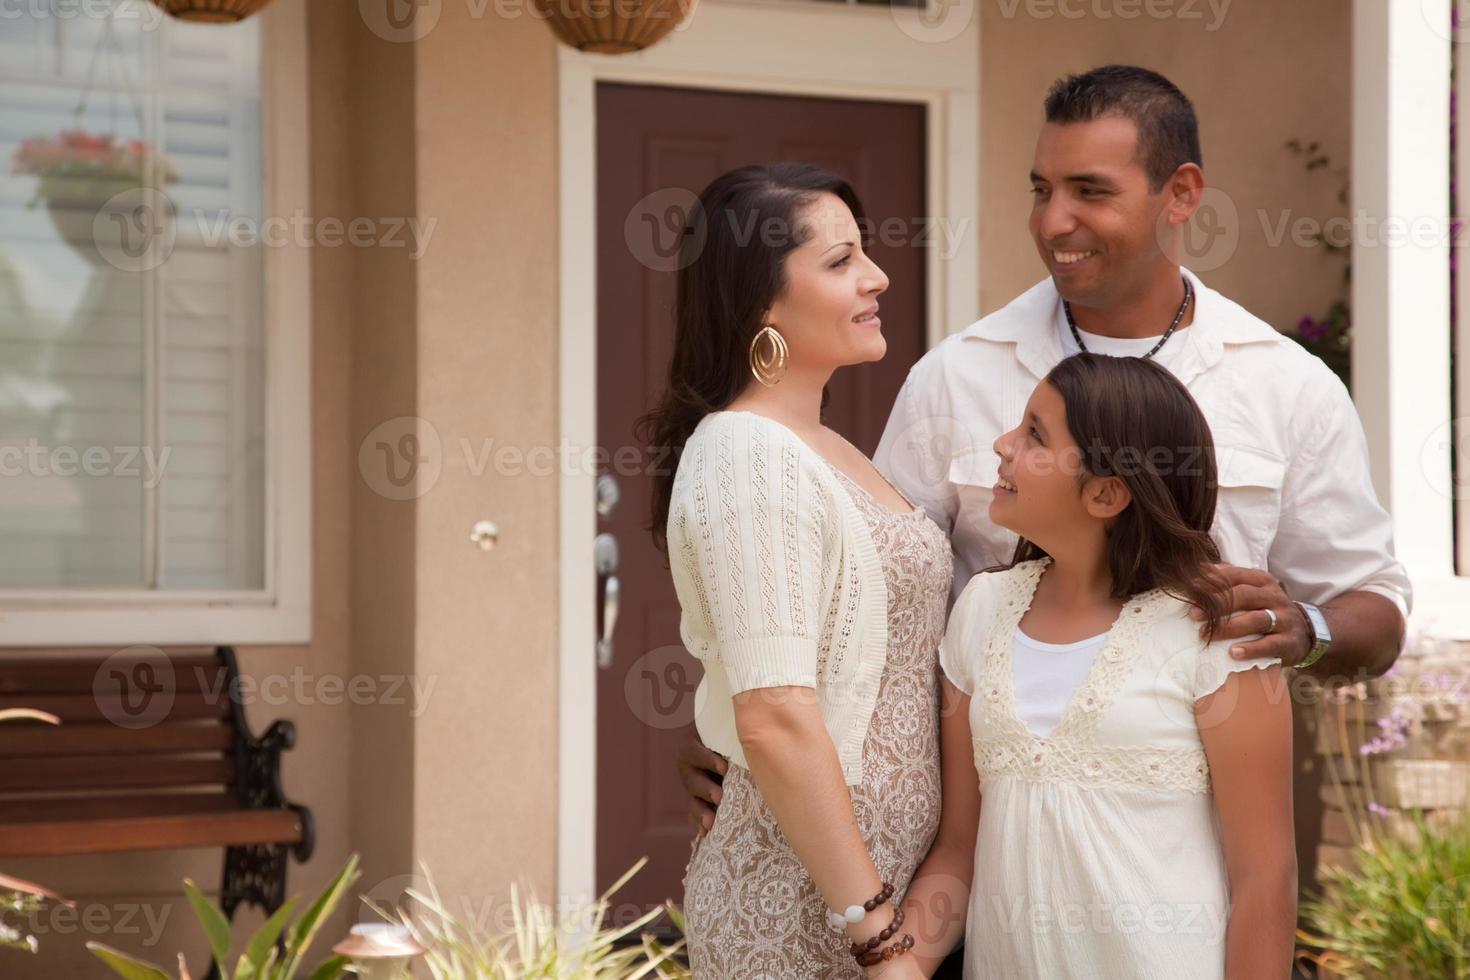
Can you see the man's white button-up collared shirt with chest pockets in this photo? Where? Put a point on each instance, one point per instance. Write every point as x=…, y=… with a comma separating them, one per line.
x=1296, y=497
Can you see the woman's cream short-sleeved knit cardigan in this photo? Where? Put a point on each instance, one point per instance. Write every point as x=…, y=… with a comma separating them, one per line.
x=778, y=581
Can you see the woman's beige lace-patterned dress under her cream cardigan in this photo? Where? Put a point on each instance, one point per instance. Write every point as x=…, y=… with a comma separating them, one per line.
x=753, y=910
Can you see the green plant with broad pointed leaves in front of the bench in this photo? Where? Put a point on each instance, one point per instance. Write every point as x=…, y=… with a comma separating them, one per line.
x=262, y=959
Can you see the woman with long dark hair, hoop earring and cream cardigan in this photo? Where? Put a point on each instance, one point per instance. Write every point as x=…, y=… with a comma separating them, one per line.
x=811, y=590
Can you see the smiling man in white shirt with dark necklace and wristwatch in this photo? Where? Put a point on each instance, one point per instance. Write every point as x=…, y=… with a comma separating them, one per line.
x=1309, y=550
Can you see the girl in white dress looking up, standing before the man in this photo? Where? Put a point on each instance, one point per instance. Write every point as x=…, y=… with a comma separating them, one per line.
x=1137, y=779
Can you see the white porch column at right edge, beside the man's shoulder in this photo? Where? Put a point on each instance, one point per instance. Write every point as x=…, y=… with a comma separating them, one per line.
x=1402, y=331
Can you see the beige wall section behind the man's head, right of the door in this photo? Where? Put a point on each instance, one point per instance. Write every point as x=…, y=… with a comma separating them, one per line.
x=1269, y=73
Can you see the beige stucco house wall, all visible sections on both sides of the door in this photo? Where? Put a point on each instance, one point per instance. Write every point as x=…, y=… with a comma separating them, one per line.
x=461, y=130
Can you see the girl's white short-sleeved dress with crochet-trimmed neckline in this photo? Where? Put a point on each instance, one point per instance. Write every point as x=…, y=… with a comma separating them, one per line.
x=1099, y=851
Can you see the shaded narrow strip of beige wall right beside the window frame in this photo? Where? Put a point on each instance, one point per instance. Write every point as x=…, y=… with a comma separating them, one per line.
x=364, y=164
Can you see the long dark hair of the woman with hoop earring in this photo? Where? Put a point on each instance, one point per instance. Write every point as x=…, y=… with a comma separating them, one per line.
x=733, y=267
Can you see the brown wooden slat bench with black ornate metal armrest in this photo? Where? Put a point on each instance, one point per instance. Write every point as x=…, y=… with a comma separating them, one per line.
x=154, y=754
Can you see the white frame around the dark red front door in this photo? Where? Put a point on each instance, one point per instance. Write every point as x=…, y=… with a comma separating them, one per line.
x=790, y=48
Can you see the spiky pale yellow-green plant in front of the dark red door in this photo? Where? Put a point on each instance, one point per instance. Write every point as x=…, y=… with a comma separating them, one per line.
x=539, y=945
